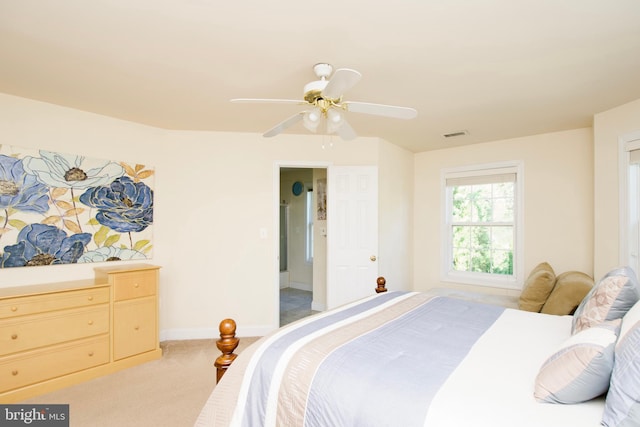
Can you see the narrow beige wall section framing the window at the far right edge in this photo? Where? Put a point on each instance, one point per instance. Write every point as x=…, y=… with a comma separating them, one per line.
x=609, y=127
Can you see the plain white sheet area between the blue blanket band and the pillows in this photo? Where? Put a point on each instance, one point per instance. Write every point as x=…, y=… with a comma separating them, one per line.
x=506, y=379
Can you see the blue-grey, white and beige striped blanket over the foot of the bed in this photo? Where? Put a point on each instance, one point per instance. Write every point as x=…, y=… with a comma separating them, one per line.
x=395, y=350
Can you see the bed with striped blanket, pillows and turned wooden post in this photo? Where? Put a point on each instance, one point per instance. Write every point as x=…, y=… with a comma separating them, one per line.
x=418, y=359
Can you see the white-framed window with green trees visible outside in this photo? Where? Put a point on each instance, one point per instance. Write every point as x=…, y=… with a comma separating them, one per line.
x=481, y=232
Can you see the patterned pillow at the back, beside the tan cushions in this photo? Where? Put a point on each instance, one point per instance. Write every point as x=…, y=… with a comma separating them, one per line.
x=609, y=299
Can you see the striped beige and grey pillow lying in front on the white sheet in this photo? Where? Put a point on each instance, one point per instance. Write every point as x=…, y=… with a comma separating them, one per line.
x=581, y=369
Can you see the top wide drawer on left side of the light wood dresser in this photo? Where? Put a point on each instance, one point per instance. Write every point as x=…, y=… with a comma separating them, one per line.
x=21, y=306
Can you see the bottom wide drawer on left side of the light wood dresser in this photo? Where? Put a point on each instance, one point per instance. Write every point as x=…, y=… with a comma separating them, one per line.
x=33, y=367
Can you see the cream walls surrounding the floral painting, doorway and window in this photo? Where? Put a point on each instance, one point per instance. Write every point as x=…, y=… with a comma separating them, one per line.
x=214, y=191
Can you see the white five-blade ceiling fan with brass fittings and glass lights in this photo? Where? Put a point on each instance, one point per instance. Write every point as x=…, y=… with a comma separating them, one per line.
x=324, y=108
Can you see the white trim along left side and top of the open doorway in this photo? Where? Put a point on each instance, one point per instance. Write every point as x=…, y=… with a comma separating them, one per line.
x=277, y=165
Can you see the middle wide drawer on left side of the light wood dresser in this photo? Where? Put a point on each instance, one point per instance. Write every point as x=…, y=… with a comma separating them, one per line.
x=38, y=330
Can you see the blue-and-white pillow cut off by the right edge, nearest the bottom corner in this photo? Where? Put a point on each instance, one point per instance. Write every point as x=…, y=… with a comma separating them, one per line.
x=622, y=407
